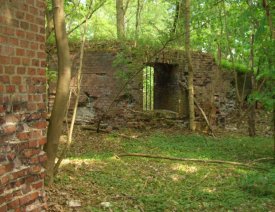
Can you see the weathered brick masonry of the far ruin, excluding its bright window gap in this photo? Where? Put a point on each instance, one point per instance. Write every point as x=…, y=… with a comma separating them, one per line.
x=100, y=80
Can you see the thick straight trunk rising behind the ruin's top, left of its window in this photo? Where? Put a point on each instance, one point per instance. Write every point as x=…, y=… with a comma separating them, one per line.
x=120, y=19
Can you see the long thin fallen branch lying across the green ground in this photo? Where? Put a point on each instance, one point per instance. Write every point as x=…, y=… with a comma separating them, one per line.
x=189, y=160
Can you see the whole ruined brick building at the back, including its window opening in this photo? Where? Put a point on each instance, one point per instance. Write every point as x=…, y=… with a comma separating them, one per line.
x=102, y=82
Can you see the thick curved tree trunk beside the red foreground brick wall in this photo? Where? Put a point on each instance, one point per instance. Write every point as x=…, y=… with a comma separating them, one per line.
x=62, y=90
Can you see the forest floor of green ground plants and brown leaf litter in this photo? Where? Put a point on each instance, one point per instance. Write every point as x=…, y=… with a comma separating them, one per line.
x=94, y=178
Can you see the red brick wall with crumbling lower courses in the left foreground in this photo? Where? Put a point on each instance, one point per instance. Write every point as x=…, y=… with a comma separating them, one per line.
x=22, y=105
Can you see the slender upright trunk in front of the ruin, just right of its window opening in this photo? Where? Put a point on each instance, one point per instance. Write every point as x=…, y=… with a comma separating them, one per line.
x=190, y=67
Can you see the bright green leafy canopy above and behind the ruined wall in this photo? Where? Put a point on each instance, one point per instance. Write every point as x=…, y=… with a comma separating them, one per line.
x=226, y=26
